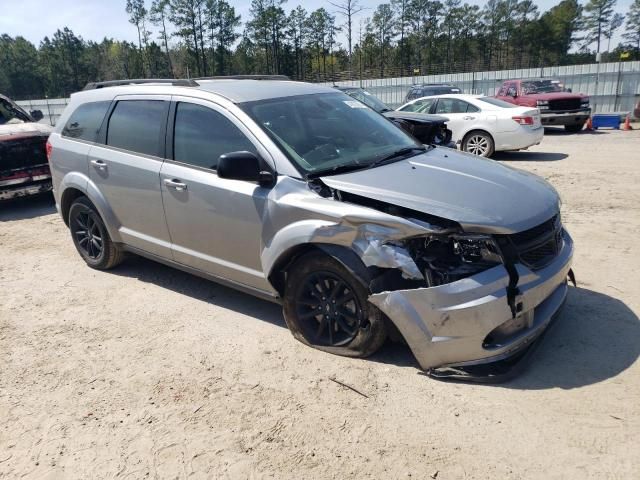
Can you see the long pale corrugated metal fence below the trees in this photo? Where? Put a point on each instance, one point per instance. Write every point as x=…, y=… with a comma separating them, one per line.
x=613, y=87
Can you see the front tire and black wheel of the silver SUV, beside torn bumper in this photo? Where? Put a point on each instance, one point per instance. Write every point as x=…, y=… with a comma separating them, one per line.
x=349, y=325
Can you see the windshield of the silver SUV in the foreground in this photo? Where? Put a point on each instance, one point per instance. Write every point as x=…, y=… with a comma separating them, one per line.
x=328, y=132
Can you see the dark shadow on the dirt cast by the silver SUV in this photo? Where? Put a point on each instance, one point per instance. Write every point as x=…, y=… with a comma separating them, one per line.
x=595, y=338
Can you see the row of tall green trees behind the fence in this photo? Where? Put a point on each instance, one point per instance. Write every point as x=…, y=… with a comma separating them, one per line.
x=207, y=37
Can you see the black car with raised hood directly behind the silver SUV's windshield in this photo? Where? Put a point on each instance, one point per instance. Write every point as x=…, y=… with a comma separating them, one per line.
x=429, y=129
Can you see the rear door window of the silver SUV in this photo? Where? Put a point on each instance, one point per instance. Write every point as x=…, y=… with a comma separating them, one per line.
x=135, y=125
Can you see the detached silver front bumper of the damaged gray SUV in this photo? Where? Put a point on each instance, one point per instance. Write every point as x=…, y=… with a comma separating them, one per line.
x=450, y=325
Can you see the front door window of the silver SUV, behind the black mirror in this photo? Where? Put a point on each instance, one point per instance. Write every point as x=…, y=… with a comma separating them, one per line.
x=201, y=135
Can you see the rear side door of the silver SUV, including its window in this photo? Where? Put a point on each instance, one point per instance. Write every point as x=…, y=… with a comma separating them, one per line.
x=126, y=169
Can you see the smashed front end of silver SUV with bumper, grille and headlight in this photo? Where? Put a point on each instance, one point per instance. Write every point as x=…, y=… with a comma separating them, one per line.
x=470, y=306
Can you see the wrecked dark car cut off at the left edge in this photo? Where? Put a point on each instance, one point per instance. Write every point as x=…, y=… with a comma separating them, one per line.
x=24, y=169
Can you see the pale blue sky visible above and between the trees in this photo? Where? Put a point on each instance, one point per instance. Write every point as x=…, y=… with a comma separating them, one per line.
x=95, y=19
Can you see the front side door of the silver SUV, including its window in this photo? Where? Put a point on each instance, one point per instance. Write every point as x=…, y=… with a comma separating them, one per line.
x=215, y=223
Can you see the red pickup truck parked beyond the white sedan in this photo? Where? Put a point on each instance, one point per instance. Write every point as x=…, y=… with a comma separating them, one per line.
x=558, y=106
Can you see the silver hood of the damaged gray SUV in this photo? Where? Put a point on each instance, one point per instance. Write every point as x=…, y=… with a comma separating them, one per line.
x=481, y=195
